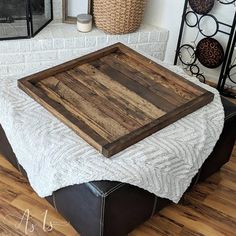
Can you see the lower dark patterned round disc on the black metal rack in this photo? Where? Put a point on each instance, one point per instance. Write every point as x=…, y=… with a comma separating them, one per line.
x=210, y=53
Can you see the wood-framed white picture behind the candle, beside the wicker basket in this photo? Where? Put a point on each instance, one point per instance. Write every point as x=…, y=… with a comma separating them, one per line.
x=72, y=8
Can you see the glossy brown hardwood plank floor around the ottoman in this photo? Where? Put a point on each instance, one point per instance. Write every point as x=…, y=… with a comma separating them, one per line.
x=208, y=209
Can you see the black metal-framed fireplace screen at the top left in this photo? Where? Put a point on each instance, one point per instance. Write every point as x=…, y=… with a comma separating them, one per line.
x=24, y=18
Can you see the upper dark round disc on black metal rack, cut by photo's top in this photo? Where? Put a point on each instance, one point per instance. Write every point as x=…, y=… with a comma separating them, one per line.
x=201, y=6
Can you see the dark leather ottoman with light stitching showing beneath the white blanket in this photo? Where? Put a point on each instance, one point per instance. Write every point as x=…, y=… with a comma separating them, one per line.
x=106, y=208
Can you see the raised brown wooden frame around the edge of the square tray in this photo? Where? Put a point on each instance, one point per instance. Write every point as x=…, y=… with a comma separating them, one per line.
x=108, y=149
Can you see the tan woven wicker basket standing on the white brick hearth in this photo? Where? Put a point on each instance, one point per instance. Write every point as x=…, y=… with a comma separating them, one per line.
x=118, y=16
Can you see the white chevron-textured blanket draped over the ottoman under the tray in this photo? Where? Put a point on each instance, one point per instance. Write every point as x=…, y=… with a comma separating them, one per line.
x=55, y=157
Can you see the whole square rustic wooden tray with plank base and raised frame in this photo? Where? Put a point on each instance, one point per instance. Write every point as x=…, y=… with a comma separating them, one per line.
x=114, y=97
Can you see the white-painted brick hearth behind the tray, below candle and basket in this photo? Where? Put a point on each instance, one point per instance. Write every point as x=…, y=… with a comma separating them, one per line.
x=59, y=42
